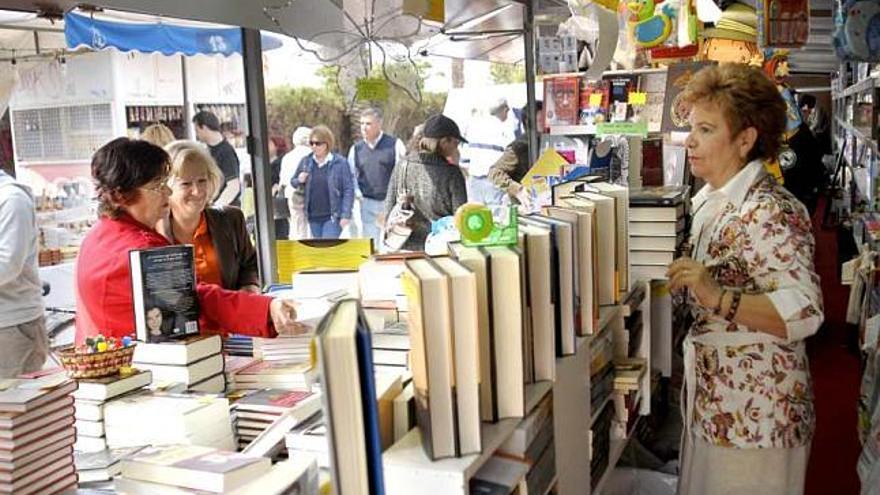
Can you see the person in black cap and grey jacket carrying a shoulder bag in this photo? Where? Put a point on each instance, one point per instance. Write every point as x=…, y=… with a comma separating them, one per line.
x=432, y=180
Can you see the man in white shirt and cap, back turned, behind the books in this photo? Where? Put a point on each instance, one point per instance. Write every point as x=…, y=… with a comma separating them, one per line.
x=487, y=139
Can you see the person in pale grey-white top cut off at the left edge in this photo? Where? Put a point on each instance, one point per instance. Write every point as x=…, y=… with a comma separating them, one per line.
x=24, y=344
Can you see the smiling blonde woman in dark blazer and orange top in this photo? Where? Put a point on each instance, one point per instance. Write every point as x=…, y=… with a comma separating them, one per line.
x=224, y=254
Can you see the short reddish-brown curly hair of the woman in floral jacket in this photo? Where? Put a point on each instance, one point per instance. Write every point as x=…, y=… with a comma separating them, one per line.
x=747, y=98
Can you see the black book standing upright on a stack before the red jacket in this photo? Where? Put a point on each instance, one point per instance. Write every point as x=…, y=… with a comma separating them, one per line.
x=163, y=283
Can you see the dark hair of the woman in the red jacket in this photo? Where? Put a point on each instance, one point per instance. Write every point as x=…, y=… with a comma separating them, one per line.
x=120, y=167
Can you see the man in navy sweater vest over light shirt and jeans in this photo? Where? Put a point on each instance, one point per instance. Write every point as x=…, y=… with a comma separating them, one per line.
x=372, y=160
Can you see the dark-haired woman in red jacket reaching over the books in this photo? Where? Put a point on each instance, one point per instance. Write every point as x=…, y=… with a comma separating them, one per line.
x=131, y=178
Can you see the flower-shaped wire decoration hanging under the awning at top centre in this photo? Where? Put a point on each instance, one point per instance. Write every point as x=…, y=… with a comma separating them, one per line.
x=376, y=42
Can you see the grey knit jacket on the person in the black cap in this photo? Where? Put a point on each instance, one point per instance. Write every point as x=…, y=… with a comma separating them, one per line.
x=437, y=189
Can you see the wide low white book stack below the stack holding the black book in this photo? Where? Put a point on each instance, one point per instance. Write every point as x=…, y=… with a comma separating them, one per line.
x=157, y=418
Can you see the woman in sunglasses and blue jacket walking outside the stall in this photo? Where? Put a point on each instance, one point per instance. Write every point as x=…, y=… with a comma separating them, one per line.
x=326, y=180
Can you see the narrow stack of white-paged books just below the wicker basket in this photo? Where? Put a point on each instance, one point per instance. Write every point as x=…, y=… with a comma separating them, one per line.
x=90, y=399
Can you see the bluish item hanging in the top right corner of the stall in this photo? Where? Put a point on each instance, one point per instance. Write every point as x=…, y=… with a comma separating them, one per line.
x=857, y=30
